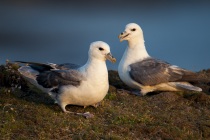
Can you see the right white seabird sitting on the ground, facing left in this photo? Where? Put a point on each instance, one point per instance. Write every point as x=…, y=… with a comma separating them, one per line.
x=140, y=71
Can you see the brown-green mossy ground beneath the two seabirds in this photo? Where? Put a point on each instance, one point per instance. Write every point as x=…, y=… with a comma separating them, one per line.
x=27, y=113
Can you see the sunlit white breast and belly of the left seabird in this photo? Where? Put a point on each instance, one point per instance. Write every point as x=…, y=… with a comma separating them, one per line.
x=91, y=91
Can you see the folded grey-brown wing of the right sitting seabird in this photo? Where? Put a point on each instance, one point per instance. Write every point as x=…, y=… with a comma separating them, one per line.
x=152, y=71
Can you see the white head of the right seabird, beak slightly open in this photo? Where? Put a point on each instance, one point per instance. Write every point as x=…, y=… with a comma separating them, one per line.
x=132, y=32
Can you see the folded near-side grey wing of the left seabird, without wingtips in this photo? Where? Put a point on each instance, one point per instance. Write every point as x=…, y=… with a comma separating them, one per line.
x=55, y=78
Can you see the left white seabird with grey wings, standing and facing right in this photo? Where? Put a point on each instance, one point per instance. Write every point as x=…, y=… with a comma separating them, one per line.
x=71, y=84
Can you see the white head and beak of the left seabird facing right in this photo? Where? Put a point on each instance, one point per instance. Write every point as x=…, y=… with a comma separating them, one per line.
x=101, y=51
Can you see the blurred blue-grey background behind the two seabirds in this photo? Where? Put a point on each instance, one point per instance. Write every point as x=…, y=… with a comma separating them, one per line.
x=61, y=31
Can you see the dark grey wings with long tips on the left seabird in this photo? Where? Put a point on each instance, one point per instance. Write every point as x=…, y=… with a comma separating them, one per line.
x=53, y=75
